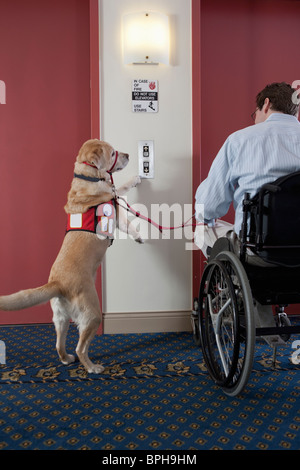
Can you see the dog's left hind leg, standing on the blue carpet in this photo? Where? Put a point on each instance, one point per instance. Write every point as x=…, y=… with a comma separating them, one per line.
x=61, y=322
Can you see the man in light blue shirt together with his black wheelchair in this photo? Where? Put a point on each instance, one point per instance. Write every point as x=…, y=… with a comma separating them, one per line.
x=258, y=170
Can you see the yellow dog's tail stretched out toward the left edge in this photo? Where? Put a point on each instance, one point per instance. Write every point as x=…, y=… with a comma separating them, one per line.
x=30, y=297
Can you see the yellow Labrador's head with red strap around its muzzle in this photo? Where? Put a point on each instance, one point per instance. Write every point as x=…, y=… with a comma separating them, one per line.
x=102, y=155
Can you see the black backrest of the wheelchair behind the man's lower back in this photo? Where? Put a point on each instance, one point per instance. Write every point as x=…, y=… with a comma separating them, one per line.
x=275, y=221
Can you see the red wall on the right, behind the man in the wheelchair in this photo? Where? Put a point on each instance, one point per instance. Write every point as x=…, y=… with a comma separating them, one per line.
x=239, y=46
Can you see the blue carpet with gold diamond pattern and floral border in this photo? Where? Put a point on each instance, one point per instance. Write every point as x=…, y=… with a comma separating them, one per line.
x=154, y=394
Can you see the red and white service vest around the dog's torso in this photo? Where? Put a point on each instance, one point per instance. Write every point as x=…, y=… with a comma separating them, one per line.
x=100, y=220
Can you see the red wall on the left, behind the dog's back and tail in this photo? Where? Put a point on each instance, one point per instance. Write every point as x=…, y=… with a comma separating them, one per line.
x=45, y=64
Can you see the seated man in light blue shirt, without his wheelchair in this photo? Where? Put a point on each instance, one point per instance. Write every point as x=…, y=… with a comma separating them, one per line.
x=250, y=158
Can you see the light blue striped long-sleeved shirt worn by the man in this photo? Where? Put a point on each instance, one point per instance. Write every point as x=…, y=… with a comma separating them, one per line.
x=248, y=159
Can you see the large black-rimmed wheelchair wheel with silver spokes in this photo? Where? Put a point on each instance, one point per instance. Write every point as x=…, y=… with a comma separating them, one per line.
x=226, y=322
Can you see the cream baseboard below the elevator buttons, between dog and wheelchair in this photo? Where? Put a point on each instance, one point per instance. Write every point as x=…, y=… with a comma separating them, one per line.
x=146, y=322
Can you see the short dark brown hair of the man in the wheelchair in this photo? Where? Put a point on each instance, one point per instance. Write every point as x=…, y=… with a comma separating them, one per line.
x=280, y=96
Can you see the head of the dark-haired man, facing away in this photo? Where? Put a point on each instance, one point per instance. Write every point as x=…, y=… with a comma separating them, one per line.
x=275, y=98
